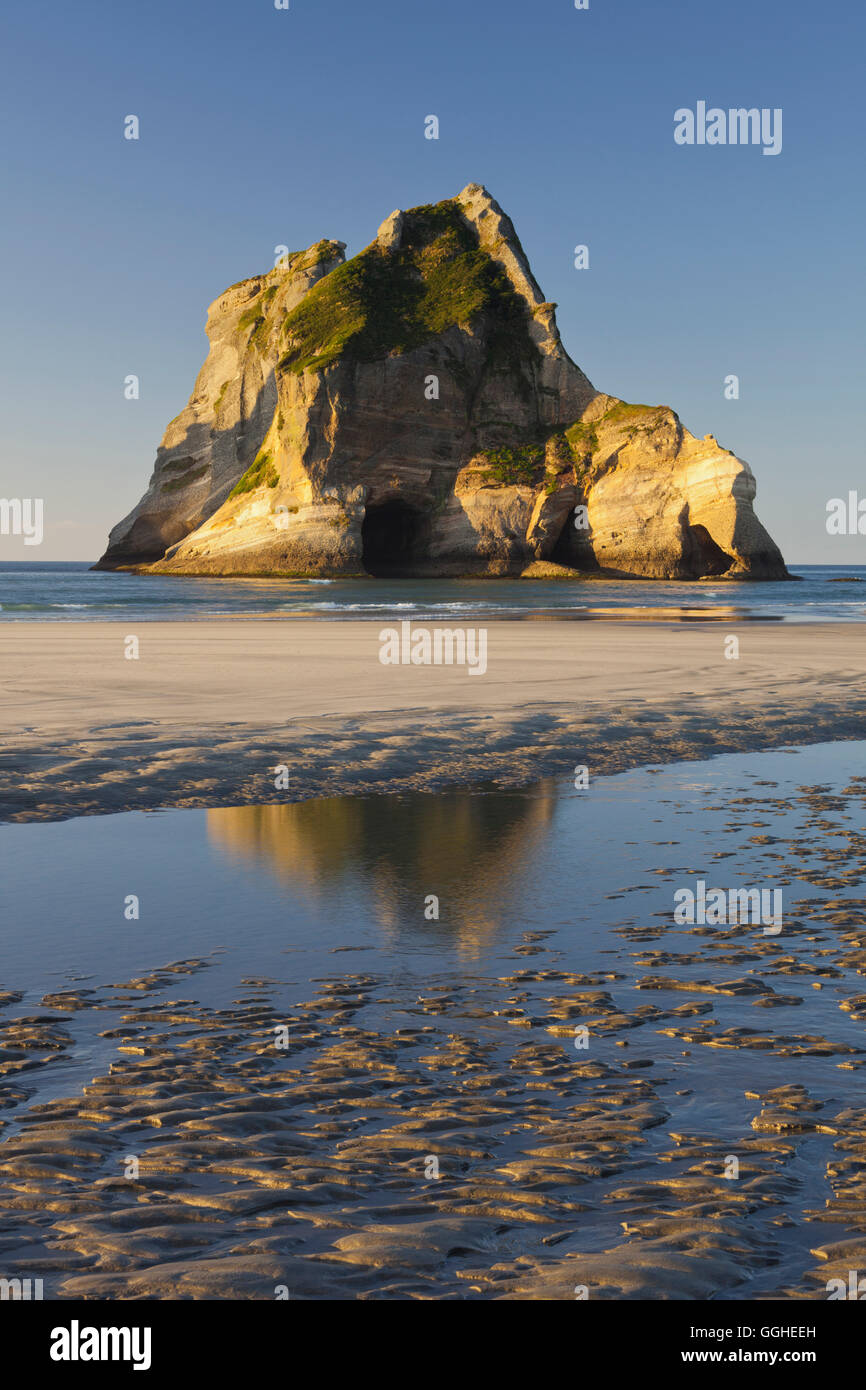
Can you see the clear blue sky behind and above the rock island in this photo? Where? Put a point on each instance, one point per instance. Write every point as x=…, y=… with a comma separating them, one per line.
x=263, y=127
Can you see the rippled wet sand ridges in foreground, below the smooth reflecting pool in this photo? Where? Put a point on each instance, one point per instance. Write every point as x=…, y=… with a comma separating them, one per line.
x=469, y=1149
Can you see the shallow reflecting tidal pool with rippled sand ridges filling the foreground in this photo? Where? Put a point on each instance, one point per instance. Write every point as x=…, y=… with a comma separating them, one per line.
x=287, y=1035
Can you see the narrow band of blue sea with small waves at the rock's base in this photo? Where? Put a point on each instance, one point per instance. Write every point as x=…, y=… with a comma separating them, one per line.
x=72, y=591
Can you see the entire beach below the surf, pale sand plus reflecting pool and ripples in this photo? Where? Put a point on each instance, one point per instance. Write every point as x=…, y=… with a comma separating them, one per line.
x=537, y=1097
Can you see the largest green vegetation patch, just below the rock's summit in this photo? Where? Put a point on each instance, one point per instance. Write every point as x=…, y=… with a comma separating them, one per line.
x=393, y=301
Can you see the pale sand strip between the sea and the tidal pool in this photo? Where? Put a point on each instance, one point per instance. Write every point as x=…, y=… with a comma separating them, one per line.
x=211, y=708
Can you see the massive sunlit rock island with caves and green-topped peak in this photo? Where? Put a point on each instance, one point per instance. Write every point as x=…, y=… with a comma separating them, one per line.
x=415, y=412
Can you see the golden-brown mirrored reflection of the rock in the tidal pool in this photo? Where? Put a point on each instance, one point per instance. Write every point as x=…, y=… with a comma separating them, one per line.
x=471, y=851
